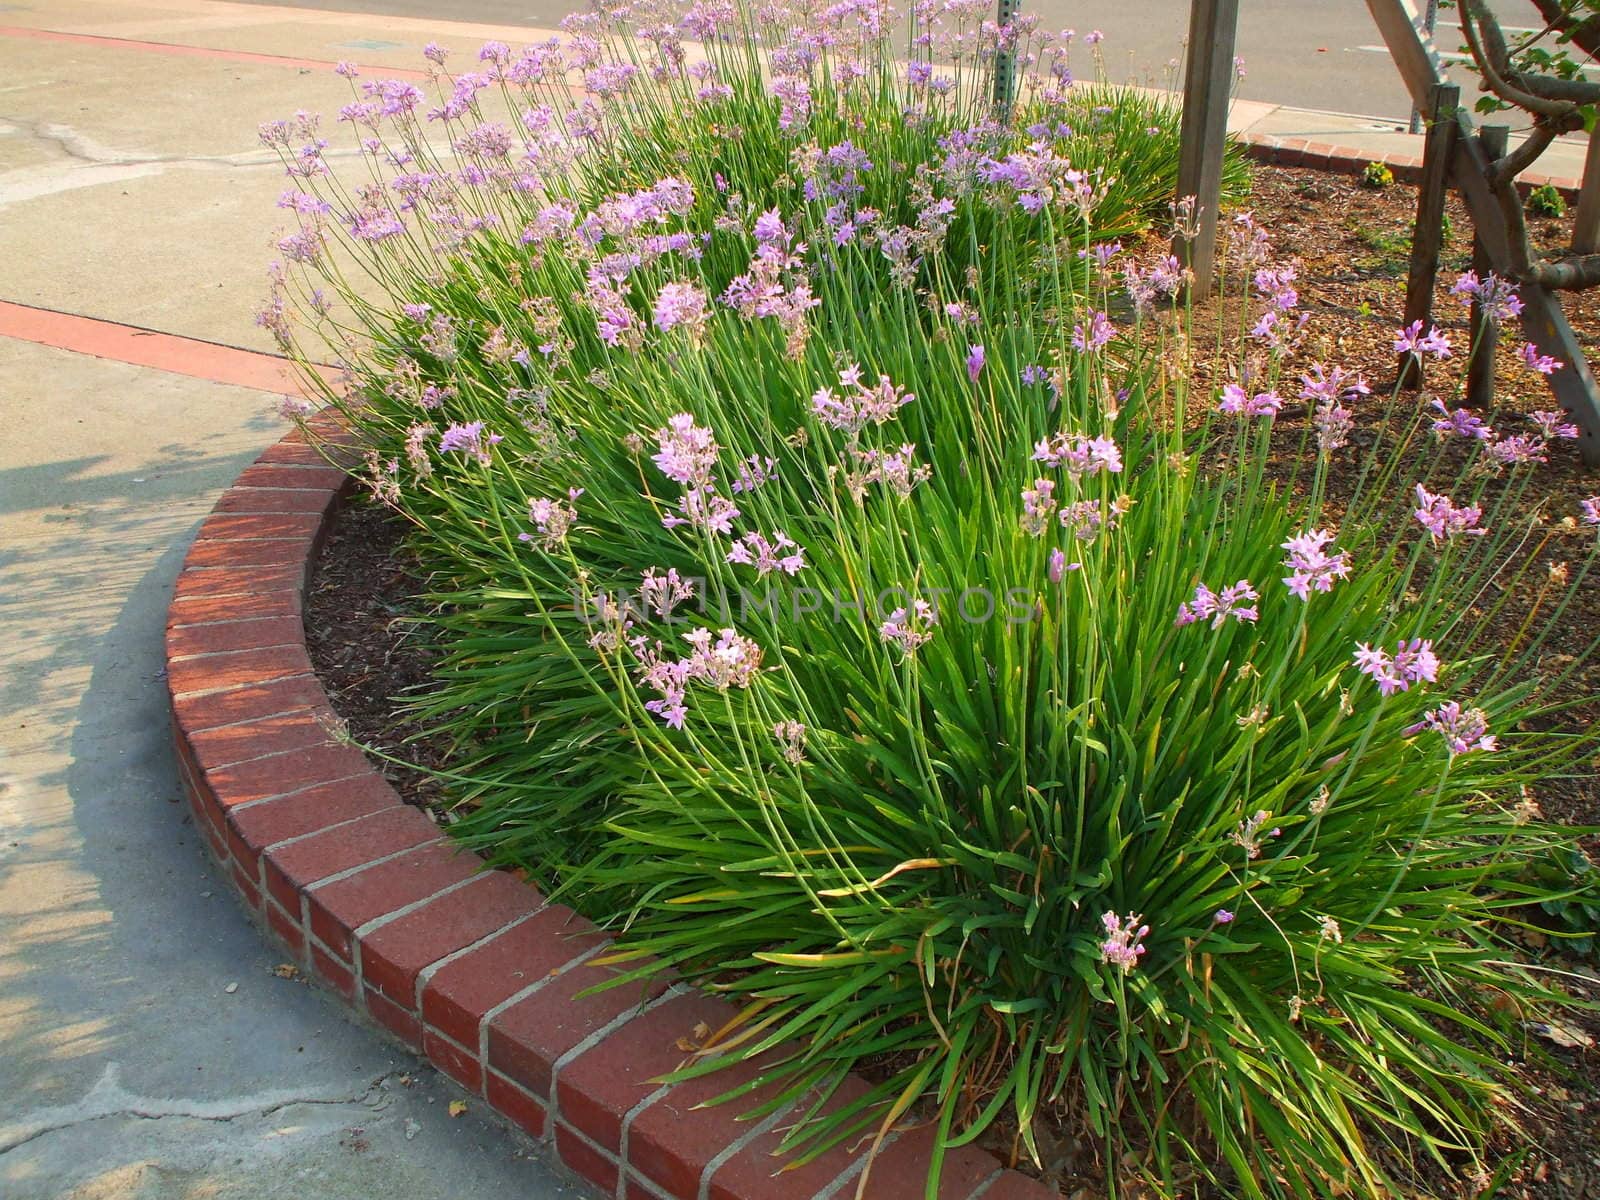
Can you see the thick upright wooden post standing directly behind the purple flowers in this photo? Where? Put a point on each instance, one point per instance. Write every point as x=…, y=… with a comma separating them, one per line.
x=1209, y=82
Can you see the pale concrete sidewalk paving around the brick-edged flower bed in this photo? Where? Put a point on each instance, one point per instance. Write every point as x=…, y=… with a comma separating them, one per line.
x=150, y=1047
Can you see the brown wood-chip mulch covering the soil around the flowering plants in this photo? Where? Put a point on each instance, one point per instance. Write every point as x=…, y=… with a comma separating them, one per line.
x=1353, y=246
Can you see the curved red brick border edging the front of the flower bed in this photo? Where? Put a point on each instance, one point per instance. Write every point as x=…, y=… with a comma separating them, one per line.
x=471, y=967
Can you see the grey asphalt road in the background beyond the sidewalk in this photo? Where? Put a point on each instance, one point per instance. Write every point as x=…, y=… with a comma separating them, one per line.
x=1306, y=54
